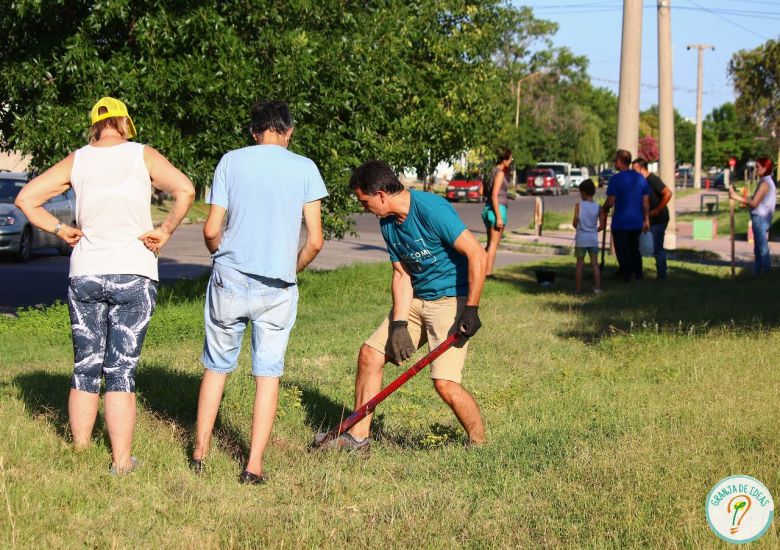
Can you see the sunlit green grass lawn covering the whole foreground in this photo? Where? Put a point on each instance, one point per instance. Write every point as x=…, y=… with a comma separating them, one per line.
x=609, y=418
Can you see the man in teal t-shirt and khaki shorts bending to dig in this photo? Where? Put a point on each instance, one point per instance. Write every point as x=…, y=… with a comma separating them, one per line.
x=438, y=274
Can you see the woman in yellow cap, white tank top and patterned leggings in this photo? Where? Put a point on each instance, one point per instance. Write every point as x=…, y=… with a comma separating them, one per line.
x=113, y=268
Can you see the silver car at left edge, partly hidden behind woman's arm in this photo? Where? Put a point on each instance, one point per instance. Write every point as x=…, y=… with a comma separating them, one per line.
x=17, y=235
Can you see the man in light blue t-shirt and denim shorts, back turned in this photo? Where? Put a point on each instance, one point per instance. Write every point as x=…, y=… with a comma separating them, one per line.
x=263, y=190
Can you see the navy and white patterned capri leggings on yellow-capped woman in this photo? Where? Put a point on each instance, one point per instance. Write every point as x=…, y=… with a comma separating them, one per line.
x=109, y=315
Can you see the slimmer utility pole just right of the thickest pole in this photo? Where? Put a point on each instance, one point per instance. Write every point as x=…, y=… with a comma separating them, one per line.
x=666, y=150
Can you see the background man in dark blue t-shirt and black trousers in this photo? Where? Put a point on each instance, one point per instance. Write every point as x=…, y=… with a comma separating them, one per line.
x=628, y=192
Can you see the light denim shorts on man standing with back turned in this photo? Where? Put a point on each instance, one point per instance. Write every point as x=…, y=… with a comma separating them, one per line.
x=234, y=298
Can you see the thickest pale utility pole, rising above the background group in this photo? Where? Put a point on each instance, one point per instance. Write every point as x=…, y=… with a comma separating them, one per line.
x=630, y=60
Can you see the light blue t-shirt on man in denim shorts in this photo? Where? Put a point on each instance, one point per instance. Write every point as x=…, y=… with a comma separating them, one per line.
x=263, y=188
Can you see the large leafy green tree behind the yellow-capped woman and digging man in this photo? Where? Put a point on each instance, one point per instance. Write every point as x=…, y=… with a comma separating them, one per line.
x=387, y=79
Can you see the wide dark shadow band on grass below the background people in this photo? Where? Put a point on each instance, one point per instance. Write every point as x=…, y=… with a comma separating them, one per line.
x=691, y=301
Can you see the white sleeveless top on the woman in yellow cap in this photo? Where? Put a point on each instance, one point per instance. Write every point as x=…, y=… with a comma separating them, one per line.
x=113, y=208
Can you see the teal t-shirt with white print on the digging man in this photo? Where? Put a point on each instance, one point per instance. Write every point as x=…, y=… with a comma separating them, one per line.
x=424, y=244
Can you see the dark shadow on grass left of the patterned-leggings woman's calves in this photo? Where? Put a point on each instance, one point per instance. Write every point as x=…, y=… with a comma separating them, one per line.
x=45, y=395
